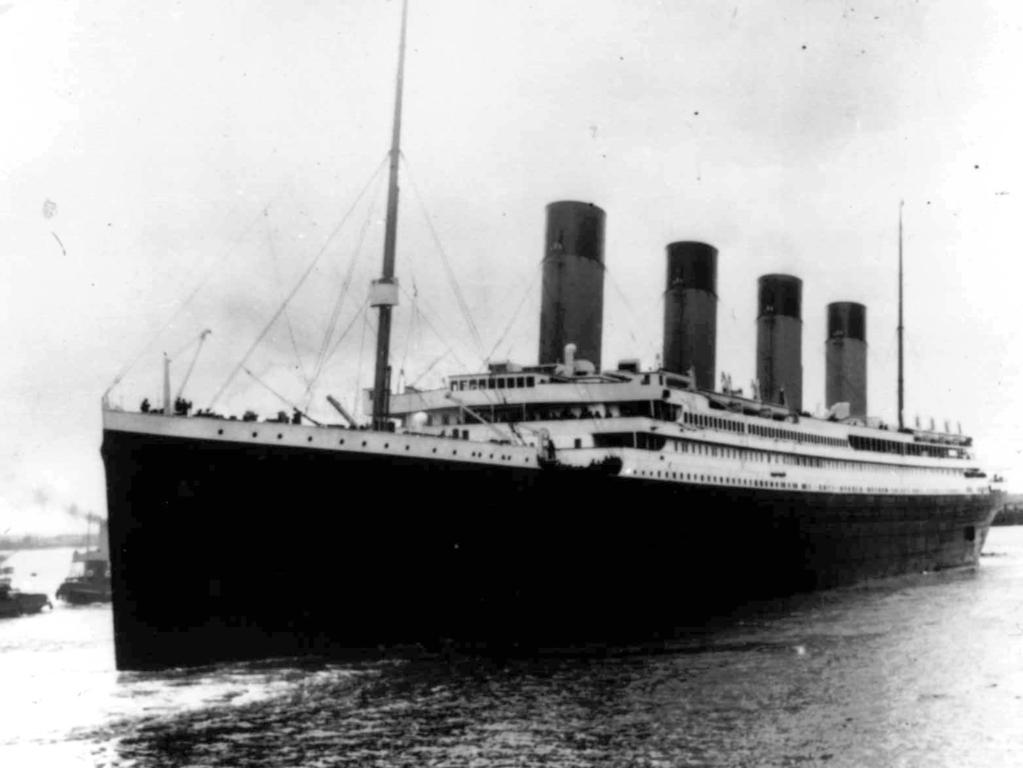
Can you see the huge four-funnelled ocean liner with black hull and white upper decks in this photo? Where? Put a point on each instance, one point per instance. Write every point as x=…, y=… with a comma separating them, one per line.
x=552, y=505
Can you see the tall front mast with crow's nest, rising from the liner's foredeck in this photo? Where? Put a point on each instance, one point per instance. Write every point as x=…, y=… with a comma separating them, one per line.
x=384, y=294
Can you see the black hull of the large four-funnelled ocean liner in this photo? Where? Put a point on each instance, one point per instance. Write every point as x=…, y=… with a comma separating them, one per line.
x=228, y=551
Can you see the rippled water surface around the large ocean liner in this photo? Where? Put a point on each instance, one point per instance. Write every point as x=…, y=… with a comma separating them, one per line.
x=926, y=671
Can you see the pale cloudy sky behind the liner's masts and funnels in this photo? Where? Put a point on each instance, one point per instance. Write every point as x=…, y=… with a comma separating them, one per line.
x=783, y=132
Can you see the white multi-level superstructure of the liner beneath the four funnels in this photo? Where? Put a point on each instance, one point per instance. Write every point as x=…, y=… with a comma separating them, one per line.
x=592, y=405
